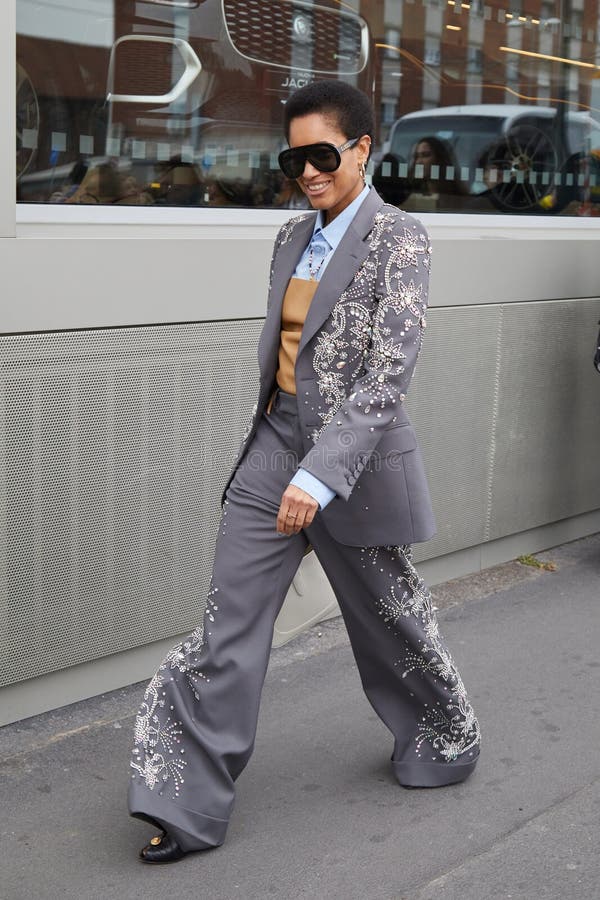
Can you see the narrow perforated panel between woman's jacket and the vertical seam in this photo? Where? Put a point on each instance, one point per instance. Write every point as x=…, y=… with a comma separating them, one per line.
x=450, y=402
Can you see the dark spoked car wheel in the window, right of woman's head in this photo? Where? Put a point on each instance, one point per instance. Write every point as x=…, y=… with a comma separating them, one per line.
x=519, y=171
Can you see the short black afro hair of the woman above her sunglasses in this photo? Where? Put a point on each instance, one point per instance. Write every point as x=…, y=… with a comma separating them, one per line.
x=350, y=107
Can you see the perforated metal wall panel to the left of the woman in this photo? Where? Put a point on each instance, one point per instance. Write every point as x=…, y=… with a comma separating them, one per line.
x=115, y=446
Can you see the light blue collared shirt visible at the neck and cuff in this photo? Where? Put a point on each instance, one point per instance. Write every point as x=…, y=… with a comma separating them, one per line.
x=324, y=242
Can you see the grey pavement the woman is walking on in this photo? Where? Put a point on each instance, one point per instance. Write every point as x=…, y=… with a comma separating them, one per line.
x=318, y=814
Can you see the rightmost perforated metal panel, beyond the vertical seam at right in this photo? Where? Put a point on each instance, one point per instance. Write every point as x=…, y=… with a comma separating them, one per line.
x=547, y=438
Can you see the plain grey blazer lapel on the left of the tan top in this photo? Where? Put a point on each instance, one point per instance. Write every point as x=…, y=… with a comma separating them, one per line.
x=288, y=257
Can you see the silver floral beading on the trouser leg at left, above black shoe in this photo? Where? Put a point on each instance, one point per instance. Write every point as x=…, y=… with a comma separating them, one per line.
x=157, y=754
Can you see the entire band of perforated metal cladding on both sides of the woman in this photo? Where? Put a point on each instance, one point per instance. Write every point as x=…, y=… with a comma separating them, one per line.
x=115, y=445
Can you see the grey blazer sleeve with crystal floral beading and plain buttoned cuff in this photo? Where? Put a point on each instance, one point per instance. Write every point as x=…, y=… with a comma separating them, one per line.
x=345, y=445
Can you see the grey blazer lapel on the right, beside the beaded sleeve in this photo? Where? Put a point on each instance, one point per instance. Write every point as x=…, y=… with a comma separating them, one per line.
x=352, y=251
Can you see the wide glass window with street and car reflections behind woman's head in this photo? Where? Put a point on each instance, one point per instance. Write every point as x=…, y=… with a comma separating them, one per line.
x=479, y=107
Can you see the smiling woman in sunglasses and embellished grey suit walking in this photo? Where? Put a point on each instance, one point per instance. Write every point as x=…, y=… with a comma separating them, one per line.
x=331, y=460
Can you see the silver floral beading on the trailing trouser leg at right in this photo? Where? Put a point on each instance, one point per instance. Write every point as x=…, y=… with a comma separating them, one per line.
x=450, y=731
